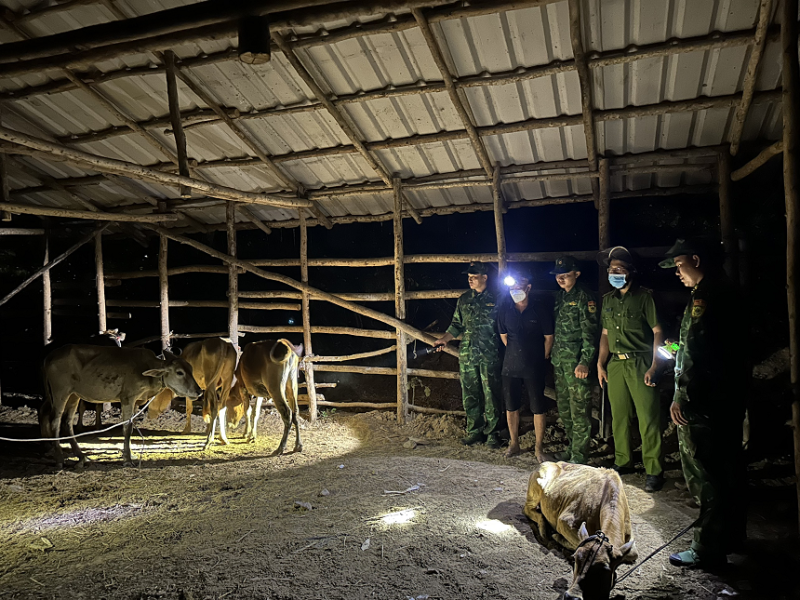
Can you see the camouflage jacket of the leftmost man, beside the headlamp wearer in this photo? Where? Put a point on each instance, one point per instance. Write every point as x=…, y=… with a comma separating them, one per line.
x=475, y=319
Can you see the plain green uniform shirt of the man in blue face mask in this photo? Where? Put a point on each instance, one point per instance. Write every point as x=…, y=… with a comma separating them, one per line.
x=630, y=319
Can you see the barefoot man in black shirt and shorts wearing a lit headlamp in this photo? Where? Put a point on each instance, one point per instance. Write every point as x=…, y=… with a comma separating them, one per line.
x=528, y=336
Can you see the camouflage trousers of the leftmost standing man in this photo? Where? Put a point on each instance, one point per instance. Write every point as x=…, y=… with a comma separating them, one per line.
x=482, y=394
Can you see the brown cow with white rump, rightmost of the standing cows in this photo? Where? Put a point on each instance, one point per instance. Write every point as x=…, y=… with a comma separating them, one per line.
x=268, y=369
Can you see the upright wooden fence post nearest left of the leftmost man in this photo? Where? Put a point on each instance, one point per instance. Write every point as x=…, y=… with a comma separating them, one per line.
x=400, y=304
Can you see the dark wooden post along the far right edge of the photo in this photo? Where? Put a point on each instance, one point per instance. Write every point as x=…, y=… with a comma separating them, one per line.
x=791, y=183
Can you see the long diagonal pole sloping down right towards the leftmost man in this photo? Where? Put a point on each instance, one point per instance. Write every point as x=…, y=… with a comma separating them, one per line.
x=356, y=308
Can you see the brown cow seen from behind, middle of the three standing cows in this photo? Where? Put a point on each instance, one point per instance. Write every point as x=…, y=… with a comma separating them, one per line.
x=213, y=362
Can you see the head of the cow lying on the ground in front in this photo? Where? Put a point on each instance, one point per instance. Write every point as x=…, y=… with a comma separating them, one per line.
x=596, y=560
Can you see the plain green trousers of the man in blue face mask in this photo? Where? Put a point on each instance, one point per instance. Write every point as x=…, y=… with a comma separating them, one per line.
x=626, y=390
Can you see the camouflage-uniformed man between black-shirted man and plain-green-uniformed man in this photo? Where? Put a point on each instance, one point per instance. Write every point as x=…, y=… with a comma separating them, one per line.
x=575, y=336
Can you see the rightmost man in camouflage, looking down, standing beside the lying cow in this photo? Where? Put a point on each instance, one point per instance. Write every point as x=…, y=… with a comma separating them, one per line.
x=711, y=377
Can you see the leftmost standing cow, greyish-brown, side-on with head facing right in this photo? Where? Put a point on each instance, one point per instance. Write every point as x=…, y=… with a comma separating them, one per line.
x=99, y=374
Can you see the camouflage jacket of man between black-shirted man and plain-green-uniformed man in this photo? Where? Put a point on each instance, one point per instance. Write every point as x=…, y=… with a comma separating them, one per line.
x=575, y=325
